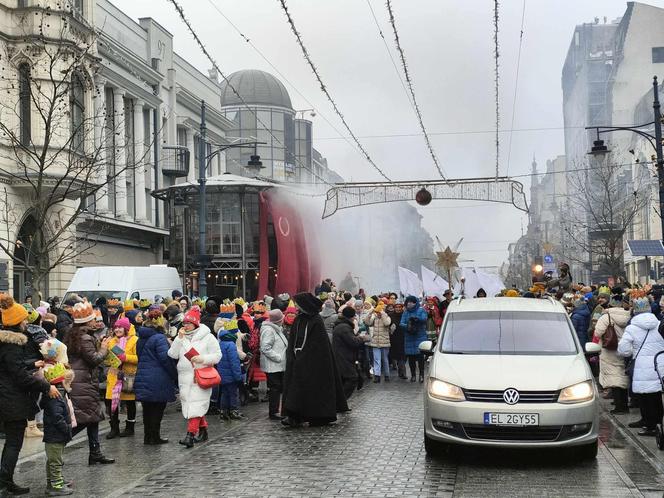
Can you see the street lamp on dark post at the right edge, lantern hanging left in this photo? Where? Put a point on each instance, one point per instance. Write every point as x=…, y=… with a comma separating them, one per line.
x=599, y=149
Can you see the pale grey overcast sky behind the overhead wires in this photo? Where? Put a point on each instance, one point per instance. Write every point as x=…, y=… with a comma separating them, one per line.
x=449, y=49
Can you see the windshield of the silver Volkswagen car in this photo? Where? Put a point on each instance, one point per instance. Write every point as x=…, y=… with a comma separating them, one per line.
x=508, y=333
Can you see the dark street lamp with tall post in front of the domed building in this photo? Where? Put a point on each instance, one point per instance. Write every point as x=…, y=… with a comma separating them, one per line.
x=203, y=163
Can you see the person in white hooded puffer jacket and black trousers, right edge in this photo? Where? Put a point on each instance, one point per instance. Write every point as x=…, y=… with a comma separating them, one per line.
x=642, y=341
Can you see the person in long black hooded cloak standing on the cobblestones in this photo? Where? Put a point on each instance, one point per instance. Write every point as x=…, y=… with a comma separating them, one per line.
x=313, y=391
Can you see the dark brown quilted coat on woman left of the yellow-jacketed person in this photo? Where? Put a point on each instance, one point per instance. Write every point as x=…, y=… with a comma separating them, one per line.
x=85, y=387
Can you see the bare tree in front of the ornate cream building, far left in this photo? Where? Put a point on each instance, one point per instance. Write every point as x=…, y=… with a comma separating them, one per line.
x=48, y=149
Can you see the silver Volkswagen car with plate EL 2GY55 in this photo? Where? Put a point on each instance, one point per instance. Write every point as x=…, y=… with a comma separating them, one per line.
x=510, y=372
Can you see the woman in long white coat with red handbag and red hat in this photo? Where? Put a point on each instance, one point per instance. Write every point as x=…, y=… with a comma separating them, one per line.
x=195, y=401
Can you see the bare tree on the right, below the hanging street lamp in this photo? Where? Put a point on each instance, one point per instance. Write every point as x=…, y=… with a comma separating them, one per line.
x=603, y=205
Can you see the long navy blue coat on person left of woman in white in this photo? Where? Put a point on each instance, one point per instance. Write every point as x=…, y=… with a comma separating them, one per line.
x=156, y=375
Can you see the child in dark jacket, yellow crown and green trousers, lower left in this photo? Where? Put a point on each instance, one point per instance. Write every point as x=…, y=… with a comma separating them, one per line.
x=57, y=433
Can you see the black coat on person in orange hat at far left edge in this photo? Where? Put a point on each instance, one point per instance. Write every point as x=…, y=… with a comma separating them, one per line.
x=17, y=384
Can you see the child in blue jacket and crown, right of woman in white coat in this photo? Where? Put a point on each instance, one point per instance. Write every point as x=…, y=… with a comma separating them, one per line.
x=230, y=370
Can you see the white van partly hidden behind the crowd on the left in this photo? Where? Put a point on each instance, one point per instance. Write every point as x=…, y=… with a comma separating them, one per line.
x=124, y=282
